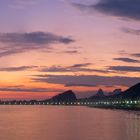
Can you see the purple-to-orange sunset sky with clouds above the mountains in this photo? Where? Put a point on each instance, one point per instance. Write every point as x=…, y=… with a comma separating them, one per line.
x=50, y=46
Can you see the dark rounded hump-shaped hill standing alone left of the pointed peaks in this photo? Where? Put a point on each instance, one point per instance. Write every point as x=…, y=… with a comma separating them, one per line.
x=65, y=96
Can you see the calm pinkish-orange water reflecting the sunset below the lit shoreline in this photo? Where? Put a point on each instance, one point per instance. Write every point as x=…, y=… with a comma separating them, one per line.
x=67, y=123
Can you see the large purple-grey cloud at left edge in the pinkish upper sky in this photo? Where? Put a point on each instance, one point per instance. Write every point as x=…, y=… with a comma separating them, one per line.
x=12, y=43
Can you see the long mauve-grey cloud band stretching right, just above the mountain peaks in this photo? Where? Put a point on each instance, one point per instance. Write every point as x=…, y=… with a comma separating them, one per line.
x=87, y=80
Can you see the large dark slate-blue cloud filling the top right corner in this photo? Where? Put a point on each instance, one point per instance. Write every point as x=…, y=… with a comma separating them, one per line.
x=120, y=8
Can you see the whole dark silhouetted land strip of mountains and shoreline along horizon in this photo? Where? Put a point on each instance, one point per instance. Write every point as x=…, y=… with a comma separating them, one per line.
x=132, y=93
